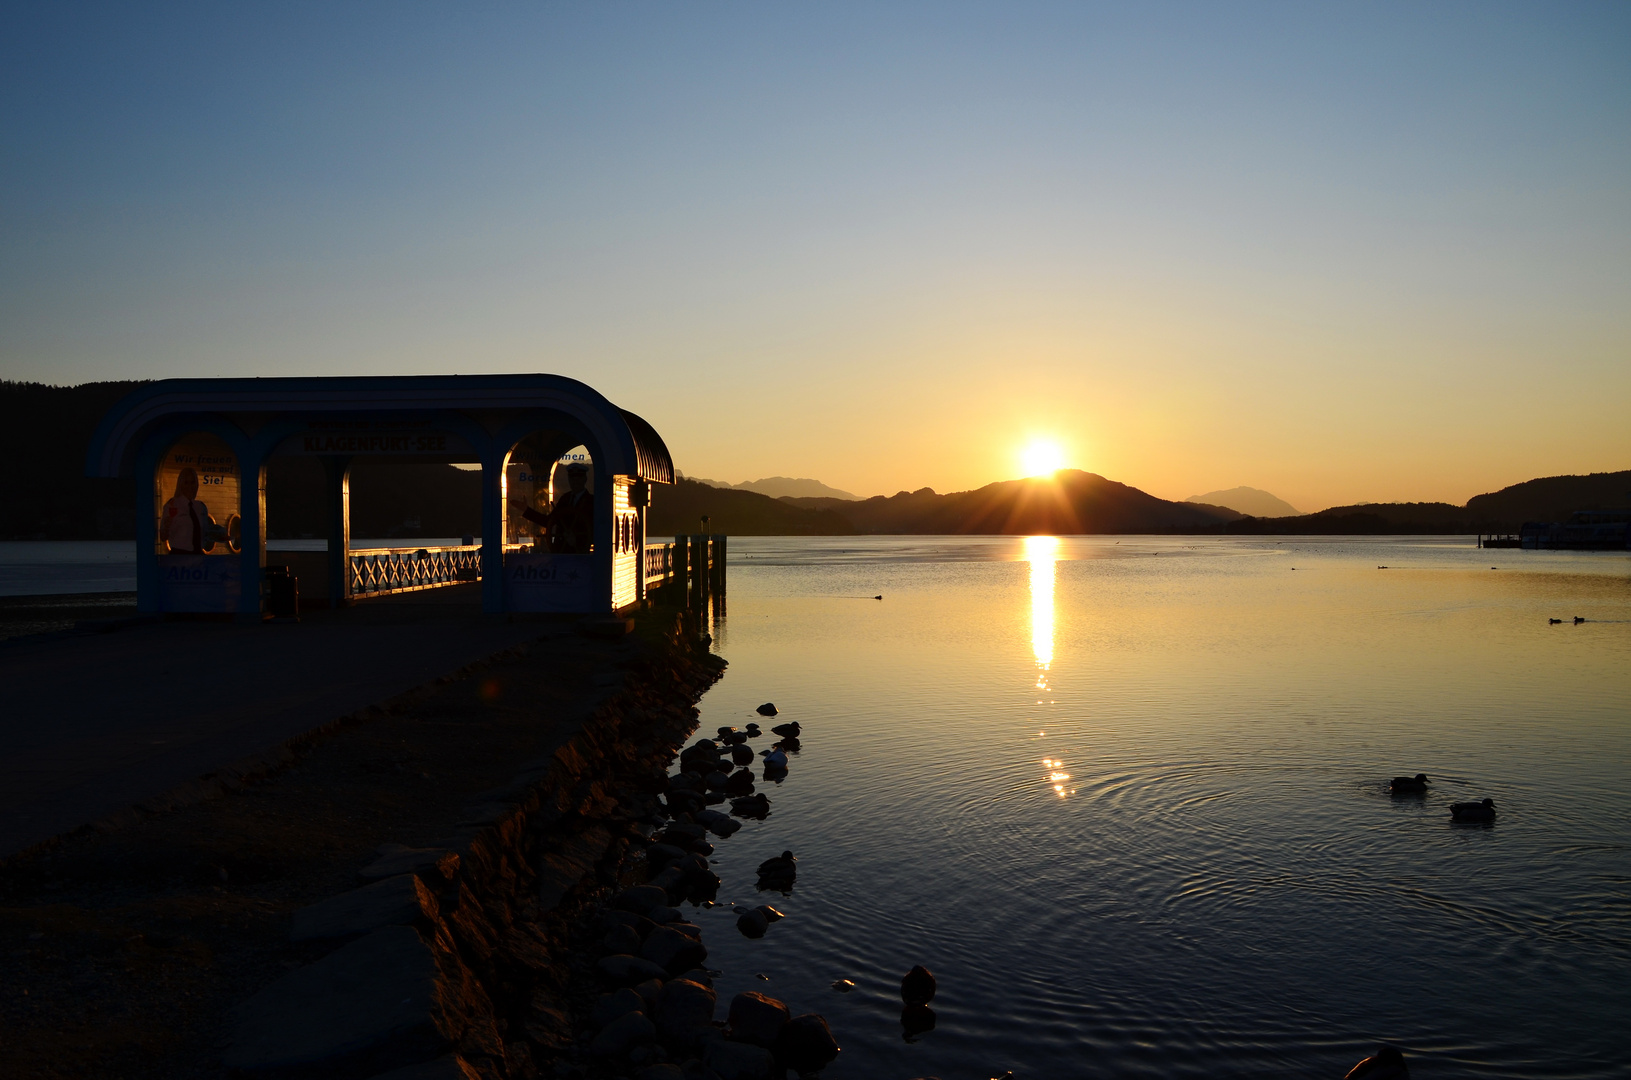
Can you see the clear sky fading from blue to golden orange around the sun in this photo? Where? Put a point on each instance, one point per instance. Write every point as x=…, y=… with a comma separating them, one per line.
x=1340, y=252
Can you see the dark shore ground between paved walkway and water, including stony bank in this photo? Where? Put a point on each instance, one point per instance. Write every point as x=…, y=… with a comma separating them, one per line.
x=136, y=945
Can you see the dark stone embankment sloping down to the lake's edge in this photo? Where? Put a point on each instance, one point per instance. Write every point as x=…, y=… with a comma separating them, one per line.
x=457, y=960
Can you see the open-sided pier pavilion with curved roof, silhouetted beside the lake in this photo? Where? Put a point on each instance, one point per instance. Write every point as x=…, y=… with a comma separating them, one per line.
x=211, y=440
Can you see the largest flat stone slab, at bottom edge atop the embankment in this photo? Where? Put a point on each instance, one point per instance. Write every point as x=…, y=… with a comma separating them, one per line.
x=378, y=1001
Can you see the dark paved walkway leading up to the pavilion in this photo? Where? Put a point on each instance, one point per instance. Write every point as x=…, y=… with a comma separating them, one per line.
x=91, y=725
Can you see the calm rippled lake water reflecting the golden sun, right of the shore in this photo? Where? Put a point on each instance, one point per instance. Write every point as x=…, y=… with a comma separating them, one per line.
x=1128, y=800
